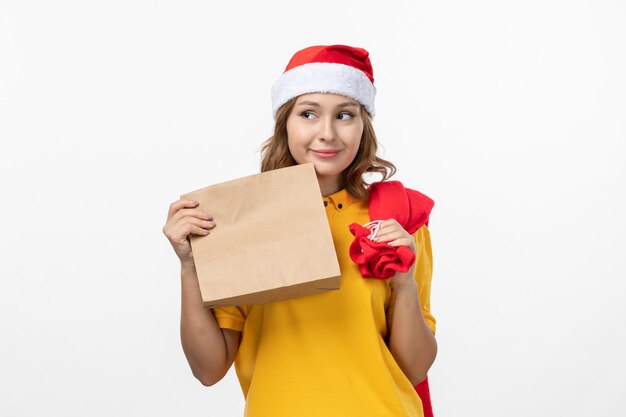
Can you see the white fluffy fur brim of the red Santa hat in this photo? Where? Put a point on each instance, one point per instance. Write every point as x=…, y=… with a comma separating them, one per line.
x=324, y=77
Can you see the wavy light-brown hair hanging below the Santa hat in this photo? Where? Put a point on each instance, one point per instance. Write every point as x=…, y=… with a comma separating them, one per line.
x=275, y=154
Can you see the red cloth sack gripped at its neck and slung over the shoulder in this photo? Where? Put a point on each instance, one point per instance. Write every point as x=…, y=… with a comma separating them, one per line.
x=389, y=200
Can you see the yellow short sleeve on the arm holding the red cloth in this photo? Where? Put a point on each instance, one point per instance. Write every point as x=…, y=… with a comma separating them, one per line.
x=423, y=275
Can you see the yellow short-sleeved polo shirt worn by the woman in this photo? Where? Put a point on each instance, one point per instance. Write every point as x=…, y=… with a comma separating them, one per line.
x=325, y=354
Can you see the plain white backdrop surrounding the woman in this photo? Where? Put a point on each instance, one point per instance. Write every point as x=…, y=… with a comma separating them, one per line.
x=510, y=115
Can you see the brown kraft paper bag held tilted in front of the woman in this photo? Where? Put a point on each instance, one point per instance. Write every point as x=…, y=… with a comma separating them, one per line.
x=271, y=242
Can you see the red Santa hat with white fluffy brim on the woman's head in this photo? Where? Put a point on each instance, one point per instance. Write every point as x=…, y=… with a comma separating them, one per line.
x=338, y=69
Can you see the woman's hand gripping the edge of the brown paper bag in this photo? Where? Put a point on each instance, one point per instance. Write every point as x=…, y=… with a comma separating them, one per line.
x=183, y=220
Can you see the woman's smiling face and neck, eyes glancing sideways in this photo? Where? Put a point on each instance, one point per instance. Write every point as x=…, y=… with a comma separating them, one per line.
x=326, y=130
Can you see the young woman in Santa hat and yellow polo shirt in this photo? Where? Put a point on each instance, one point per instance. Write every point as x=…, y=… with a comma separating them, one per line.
x=357, y=351
